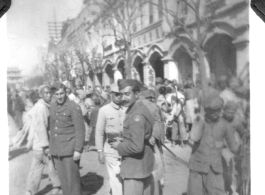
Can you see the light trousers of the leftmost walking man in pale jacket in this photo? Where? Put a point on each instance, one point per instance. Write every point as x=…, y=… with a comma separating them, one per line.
x=40, y=159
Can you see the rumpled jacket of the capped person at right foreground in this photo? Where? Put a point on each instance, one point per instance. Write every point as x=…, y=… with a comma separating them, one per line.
x=208, y=144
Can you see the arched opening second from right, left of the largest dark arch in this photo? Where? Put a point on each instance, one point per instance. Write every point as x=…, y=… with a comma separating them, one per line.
x=184, y=64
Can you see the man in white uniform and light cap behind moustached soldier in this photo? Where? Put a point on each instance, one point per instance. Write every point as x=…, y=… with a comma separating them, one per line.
x=110, y=123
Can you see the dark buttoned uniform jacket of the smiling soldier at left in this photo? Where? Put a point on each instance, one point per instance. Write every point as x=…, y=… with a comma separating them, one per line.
x=67, y=128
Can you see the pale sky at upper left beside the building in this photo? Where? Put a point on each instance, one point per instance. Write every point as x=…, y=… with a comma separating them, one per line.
x=27, y=28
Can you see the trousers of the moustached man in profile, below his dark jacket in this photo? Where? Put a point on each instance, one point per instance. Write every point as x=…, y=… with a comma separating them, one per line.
x=138, y=186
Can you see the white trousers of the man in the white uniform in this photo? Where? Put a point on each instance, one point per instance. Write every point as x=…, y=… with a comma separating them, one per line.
x=113, y=167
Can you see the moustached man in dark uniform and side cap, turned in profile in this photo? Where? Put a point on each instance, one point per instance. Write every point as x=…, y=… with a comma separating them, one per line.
x=136, y=151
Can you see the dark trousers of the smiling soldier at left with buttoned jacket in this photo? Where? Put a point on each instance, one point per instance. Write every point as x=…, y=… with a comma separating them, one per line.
x=69, y=175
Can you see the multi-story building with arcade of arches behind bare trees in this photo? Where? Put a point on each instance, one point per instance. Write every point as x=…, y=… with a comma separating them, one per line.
x=155, y=46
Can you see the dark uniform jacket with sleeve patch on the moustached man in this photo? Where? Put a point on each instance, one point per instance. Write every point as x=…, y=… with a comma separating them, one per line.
x=137, y=154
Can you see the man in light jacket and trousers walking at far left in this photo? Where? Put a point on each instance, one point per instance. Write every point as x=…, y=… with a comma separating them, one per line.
x=37, y=123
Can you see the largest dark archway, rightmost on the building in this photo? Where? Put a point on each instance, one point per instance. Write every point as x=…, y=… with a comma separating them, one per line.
x=221, y=54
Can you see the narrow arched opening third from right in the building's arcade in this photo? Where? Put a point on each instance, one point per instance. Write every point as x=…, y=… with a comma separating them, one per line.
x=157, y=64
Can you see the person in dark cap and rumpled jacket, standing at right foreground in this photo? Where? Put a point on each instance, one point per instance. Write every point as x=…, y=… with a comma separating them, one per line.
x=208, y=134
